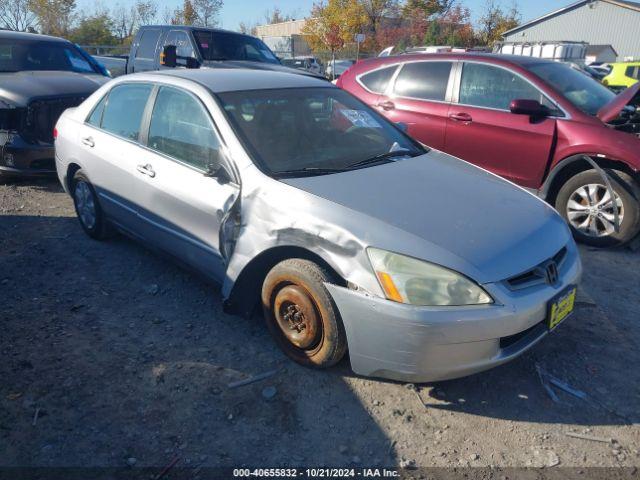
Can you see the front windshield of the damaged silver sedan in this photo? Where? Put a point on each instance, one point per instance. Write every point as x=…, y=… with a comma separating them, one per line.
x=312, y=129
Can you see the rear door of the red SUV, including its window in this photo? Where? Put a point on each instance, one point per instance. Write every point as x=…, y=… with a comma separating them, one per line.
x=419, y=99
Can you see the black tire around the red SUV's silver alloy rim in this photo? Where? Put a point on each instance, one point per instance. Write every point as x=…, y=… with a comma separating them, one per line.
x=627, y=190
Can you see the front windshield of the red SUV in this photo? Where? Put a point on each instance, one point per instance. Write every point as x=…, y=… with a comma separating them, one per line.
x=585, y=93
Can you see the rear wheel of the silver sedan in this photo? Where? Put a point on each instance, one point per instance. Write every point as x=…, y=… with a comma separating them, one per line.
x=88, y=209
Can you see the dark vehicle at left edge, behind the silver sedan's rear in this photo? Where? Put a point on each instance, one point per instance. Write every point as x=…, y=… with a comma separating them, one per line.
x=40, y=77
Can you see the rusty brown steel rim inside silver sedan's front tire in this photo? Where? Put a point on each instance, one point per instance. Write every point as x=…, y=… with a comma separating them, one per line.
x=297, y=317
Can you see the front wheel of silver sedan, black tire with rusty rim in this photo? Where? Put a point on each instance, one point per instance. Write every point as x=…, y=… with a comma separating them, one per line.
x=301, y=314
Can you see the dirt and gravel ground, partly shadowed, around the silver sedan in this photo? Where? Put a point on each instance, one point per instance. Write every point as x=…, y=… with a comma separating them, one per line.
x=113, y=356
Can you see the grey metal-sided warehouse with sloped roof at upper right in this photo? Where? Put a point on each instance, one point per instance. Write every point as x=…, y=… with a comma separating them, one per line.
x=597, y=22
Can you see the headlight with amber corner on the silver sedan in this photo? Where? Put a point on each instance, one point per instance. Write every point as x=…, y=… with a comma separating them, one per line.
x=408, y=280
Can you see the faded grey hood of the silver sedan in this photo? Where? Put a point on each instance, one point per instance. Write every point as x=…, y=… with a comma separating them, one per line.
x=495, y=228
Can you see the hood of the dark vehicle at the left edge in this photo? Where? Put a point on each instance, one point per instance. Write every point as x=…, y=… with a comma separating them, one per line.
x=21, y=87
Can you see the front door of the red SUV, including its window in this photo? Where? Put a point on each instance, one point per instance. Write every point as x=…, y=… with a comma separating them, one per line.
x=482, y=130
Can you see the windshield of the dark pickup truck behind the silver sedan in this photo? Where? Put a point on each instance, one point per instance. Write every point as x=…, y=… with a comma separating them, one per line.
x=215, y=45
